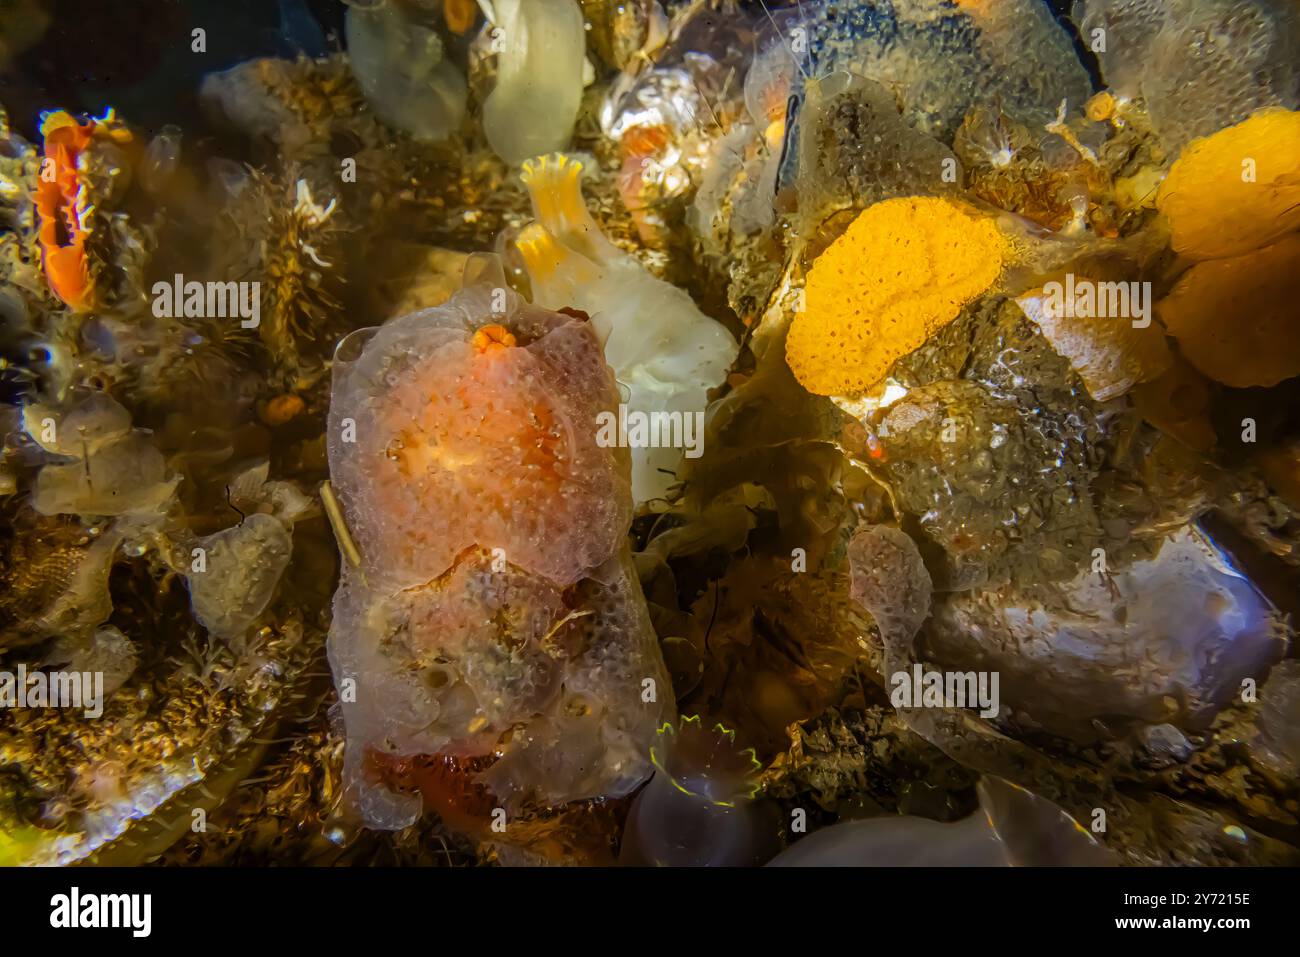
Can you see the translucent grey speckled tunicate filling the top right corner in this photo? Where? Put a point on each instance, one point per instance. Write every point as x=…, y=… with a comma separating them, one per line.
x=1201, y=66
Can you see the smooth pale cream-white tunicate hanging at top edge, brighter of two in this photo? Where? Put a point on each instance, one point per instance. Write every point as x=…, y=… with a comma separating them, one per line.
x=539, y=89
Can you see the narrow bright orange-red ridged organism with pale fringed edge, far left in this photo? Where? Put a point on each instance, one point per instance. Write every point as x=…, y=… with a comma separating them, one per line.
x=60, y=203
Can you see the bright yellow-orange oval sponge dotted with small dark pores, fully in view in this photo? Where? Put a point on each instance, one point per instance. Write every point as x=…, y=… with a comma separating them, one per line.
x=899, y=275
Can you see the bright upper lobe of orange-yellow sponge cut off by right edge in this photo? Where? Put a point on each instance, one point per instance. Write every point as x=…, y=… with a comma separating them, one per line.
x=1237, y=190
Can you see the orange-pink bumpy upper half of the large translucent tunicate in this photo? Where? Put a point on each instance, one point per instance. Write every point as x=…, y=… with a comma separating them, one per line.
x=456, y=453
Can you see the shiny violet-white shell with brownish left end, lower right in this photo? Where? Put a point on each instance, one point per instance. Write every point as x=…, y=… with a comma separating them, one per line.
x=1162, y=640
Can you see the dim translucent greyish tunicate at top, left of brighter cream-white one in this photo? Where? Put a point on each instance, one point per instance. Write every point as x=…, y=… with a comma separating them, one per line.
x=404, y=72
